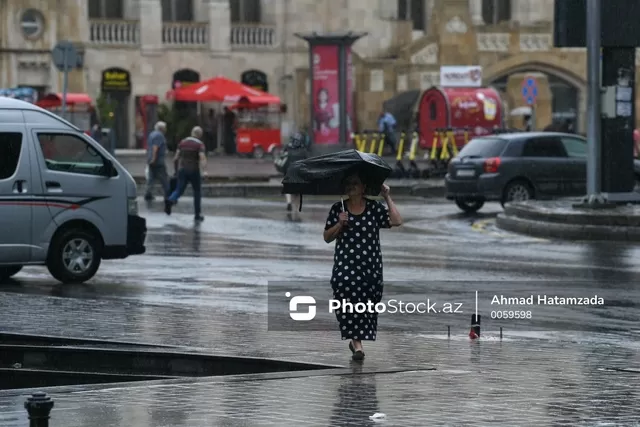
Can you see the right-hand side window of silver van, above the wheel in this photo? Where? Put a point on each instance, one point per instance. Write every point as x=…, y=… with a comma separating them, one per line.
x=68, y=153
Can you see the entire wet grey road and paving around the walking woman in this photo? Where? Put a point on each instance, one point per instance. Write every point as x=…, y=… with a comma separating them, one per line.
x=204, y=288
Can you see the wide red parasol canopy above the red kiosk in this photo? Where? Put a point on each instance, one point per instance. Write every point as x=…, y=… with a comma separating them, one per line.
x=221, y=89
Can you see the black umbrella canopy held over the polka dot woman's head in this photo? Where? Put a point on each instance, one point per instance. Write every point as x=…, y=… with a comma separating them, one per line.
x=324, y=175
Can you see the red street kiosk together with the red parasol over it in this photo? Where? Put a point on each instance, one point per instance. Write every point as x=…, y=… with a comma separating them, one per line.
x=258, y=114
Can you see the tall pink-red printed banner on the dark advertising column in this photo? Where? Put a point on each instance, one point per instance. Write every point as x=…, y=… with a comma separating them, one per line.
x=324, y=90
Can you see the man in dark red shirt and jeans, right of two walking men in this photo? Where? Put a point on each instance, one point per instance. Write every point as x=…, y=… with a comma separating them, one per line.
x=191, y=164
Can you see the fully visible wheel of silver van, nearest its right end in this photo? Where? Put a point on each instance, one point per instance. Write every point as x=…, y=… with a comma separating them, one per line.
x=74, y=256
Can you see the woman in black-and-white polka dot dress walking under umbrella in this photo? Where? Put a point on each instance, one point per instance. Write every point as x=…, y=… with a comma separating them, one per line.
x=357, y=271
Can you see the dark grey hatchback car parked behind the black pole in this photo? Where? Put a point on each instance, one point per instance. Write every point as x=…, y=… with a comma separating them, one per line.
x=519, y=166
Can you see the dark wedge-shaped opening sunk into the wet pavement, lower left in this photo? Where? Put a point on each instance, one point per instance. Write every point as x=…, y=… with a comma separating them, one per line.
x=33, y=362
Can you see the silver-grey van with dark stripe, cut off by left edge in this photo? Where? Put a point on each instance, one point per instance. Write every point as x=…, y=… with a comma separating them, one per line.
x=65, y=202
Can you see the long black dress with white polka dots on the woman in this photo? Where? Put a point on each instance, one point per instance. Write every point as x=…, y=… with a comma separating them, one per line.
x=357, y=269
